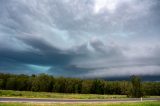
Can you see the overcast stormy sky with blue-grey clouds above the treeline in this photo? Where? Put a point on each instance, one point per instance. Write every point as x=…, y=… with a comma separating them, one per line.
x=80, y=38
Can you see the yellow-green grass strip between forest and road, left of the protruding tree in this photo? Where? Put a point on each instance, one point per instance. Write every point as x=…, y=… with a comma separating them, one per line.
x=29, y=94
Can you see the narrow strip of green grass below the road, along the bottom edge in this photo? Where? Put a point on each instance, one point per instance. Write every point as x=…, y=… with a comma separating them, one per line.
x=86, y=104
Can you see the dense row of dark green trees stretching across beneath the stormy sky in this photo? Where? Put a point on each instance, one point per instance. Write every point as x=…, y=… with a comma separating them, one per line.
x=47, y=83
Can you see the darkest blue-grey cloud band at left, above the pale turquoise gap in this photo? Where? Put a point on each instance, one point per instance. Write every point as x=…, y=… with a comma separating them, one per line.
x=45, y=57
